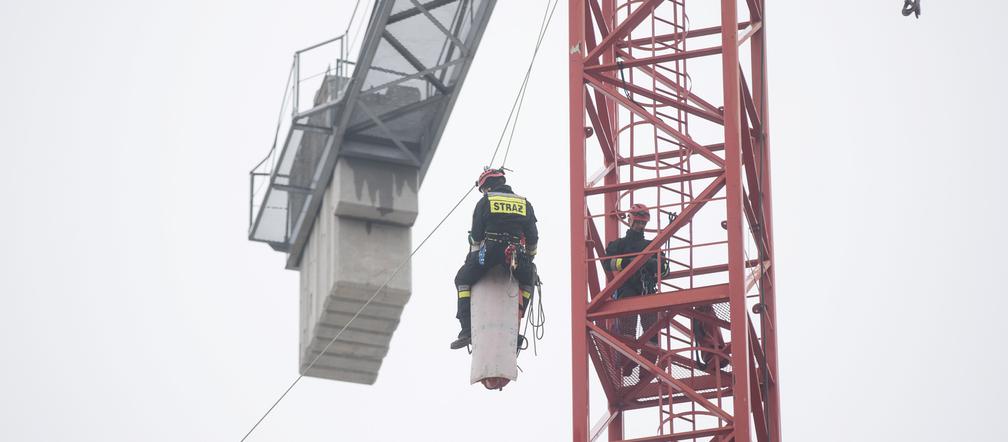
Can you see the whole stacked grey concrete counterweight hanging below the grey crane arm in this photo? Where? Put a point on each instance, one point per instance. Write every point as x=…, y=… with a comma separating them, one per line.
x=362, y=236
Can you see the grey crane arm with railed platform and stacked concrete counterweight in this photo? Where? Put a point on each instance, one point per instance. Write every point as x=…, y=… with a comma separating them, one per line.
x=349, y=231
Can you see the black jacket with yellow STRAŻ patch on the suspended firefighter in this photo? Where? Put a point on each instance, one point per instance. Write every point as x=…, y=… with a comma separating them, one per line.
x=501, y=211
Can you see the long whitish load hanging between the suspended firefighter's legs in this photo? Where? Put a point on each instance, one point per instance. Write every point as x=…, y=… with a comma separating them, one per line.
x=495, y=329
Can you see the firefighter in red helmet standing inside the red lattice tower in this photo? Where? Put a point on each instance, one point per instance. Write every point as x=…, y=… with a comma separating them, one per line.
x=645, y=282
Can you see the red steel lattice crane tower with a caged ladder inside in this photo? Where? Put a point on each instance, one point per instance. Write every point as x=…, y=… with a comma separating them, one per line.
x=652, y=135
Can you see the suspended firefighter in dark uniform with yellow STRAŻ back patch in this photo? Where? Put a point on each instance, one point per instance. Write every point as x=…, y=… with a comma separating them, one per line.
x=503, y=233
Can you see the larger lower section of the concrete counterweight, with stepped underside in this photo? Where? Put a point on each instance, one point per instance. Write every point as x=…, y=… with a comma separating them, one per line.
x=345, y=264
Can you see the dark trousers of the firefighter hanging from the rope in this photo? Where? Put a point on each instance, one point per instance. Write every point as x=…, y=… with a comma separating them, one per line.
x=472, y=272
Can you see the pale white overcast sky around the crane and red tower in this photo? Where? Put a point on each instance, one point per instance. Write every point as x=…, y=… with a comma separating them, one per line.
x=135, y=308
